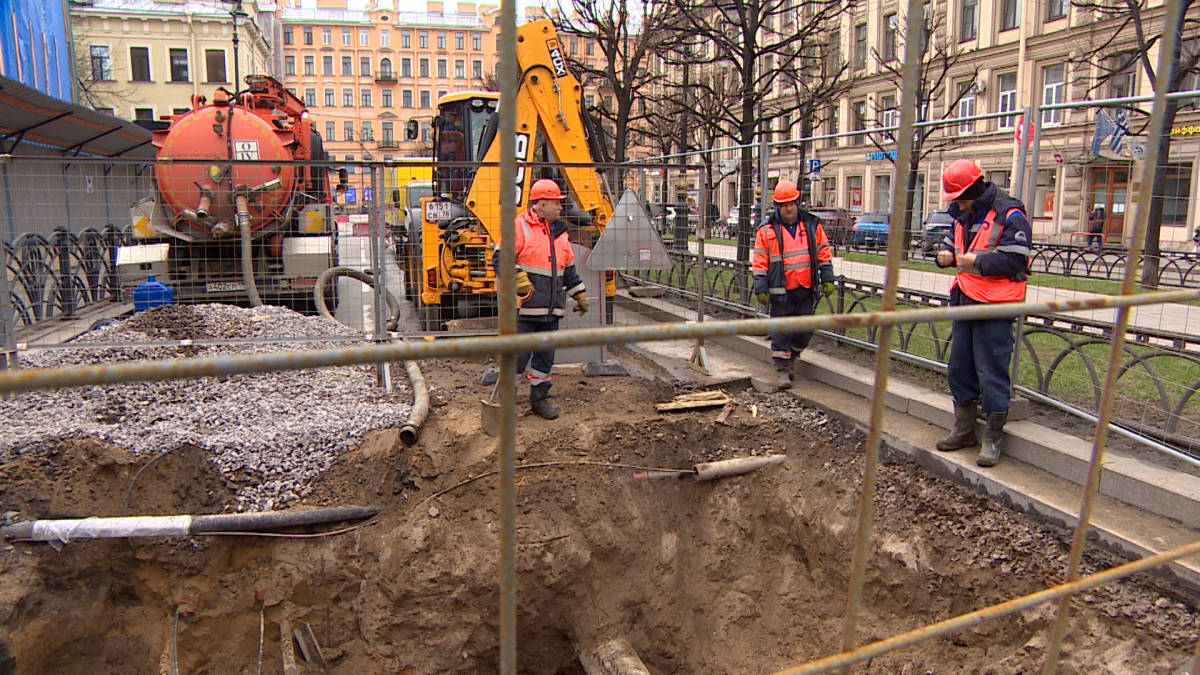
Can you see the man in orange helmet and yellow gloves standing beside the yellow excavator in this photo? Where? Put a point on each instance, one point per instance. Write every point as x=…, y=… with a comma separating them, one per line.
x=547, y=277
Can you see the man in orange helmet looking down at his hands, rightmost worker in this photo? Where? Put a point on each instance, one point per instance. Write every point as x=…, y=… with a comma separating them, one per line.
x=991, y=248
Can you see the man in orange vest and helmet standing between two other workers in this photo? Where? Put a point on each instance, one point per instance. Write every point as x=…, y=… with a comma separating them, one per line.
x=791, y=253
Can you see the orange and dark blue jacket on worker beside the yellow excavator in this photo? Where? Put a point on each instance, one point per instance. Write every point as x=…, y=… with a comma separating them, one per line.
x=544, y=253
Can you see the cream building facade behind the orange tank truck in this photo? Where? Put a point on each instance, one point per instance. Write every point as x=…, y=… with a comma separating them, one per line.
x=145, y=59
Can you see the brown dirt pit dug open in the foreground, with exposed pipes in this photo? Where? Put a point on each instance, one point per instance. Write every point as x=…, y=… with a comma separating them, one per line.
x=745, y=575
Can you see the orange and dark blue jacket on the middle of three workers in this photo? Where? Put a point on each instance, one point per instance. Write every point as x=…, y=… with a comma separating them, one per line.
x=779, y=268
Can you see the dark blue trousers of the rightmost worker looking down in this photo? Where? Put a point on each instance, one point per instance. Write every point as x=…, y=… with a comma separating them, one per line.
x=979, y=366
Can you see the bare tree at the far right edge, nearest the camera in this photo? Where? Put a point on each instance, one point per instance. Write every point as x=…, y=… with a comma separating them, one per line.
x=1131, y=29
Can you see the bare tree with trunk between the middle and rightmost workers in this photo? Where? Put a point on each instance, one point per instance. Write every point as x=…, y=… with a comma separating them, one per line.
x=940, y=69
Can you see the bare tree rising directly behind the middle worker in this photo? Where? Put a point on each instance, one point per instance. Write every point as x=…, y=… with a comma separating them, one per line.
x=765, y=44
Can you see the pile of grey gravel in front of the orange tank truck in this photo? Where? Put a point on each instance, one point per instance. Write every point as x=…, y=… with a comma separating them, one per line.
x=269, y=435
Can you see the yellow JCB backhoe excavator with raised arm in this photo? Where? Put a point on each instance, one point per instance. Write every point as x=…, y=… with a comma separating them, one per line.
x=447, y=260
